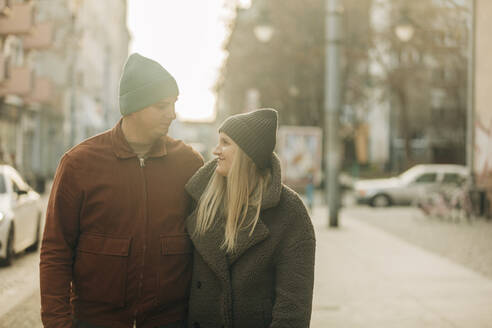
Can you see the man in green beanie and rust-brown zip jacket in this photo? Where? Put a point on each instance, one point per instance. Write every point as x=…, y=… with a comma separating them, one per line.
x=115, y=252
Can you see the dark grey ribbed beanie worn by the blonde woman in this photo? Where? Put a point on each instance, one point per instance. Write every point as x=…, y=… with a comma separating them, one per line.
x=255, y=133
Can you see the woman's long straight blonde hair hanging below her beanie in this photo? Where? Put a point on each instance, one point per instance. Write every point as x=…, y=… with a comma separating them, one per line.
x=231, y=198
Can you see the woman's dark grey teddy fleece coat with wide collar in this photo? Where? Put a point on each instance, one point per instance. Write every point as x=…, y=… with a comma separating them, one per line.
x=268, y=280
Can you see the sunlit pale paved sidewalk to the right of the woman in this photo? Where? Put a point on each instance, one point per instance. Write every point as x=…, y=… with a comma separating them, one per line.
x=368, y=278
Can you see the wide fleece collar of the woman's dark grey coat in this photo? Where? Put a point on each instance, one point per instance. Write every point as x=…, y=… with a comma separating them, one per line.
x=208, y=245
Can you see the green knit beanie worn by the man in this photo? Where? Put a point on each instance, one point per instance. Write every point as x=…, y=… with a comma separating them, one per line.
x=144, y=82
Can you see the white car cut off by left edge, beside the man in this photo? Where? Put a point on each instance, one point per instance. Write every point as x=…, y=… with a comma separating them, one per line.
x=20, y=215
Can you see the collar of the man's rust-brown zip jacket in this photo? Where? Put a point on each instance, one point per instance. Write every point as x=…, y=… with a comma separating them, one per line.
x=122, y=149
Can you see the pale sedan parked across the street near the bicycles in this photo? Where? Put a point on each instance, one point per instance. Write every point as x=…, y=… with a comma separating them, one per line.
x=405, y=188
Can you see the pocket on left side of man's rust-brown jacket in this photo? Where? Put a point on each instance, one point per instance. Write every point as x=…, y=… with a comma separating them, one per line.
x=100, y=268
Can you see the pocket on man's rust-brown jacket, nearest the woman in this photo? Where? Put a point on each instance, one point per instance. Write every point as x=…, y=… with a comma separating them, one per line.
x=175, y=269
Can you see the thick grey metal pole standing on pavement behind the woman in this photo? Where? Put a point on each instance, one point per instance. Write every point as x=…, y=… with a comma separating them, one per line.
x=334, y=11
